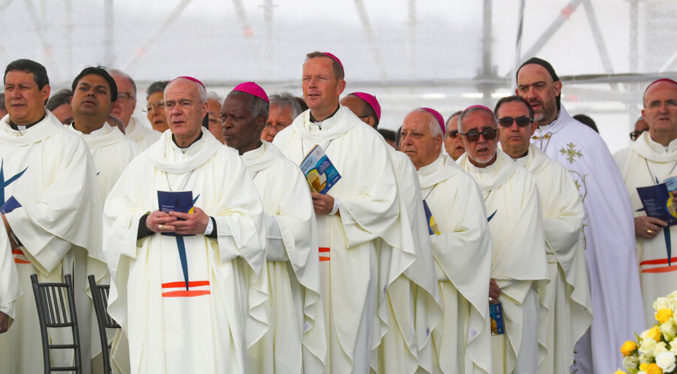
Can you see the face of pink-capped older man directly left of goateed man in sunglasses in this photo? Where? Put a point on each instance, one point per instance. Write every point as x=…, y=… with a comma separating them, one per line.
x=417, y=141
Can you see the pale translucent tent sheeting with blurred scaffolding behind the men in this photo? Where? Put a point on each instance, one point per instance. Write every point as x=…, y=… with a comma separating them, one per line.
x=445, y=54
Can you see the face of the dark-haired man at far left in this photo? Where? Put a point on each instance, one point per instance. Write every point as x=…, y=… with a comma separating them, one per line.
x=25, y=102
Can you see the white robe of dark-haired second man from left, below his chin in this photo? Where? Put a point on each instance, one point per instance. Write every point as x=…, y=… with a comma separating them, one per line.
x=112, y=151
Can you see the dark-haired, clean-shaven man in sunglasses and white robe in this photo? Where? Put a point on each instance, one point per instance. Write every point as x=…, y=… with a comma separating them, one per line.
x=568, y=312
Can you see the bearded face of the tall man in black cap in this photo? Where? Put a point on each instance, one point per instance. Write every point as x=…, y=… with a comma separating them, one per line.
x=535, y=85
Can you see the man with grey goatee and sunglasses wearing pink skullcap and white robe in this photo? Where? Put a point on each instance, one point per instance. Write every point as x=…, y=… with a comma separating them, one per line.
x=518, y=263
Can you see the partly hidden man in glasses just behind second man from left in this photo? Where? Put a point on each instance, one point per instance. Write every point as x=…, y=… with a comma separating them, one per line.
x=124, y=106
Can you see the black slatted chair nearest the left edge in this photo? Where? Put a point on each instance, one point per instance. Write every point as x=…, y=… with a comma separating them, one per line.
x=56, y=310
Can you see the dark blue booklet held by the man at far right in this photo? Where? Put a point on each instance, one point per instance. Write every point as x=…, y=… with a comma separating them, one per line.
x=660, y=201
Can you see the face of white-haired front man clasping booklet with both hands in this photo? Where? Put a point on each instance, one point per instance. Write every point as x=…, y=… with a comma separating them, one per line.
x=183, y=109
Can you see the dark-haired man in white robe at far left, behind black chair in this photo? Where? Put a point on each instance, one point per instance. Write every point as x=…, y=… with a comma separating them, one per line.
x=51, y=212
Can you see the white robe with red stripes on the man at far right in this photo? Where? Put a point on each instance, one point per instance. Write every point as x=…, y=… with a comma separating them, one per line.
x=641, y=165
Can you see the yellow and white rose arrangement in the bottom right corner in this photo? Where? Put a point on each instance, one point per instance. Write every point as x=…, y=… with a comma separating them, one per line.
x=655, y=350
